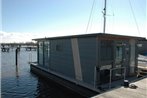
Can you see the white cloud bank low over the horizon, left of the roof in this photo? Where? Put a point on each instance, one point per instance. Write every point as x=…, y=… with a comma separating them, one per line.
x=14, y=37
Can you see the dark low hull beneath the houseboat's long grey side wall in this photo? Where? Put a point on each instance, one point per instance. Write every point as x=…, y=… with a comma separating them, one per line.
x=69, y=84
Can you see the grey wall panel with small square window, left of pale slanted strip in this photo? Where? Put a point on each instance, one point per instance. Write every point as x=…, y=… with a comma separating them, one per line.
x=61, y=58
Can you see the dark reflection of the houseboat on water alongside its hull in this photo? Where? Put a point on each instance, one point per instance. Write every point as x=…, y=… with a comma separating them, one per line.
x=49, y=89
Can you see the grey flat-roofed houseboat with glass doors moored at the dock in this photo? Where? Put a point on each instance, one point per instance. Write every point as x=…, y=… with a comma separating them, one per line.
x=86, y=61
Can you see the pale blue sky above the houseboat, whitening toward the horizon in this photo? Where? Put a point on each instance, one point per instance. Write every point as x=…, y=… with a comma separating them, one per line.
x=23, y=20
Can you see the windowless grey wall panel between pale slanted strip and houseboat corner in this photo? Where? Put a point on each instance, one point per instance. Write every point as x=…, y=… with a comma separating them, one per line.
x=87, y=49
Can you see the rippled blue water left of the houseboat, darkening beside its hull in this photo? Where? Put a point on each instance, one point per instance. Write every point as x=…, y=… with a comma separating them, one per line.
x=19, y=82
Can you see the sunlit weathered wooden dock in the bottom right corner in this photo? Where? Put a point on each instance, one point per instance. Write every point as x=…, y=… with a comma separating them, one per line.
x=121, y=92
